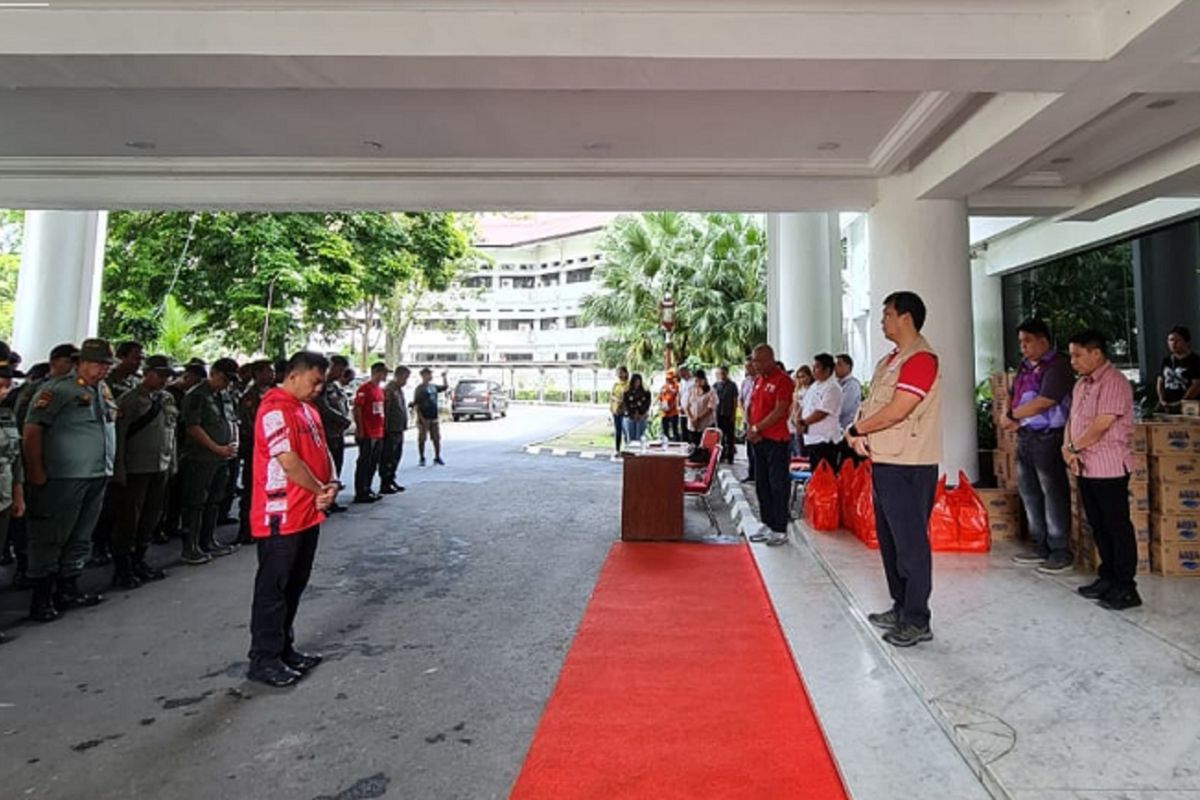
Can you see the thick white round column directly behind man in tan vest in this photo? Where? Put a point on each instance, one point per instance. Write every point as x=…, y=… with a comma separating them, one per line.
x=922, y=246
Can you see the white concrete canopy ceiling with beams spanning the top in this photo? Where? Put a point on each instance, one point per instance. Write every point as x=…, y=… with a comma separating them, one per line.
x=1073, y=109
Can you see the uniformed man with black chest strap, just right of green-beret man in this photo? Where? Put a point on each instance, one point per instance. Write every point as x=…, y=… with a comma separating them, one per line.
x=146, y=459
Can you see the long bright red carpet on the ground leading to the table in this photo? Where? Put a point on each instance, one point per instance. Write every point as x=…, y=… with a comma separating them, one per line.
x=679, y=685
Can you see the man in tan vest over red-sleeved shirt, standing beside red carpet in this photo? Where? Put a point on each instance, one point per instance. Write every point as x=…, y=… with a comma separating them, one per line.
x=899, y=428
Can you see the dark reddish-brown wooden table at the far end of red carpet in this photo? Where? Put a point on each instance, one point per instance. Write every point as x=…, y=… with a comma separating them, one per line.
x=652, y=495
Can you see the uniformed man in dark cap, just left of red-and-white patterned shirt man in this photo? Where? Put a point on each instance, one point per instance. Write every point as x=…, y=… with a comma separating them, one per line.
x=212, y=443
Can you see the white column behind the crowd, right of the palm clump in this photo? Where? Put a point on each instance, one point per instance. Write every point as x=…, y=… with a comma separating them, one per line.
x=803, y=286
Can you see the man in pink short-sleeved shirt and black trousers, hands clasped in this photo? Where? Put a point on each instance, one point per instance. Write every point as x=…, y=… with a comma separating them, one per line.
x=1097, y=452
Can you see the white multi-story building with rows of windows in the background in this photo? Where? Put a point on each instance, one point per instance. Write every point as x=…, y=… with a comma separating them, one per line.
x=524, y=305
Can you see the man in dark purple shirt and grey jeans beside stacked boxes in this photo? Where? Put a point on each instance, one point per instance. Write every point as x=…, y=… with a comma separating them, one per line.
x=1039, y=407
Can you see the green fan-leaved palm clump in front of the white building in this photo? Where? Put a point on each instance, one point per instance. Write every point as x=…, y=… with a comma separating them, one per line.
x=713, y=266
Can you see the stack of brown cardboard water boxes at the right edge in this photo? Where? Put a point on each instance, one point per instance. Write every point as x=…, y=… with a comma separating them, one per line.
x=1174, y=449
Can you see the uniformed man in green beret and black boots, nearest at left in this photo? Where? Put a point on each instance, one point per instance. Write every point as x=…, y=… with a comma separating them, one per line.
x=70, y=443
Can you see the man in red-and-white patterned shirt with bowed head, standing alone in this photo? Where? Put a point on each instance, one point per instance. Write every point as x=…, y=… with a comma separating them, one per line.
x=293, y=486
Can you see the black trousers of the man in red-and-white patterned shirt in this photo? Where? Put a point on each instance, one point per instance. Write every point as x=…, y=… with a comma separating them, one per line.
x=285, y=564
